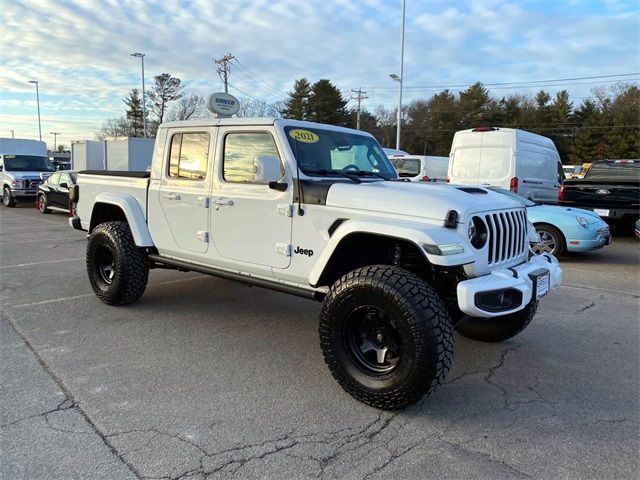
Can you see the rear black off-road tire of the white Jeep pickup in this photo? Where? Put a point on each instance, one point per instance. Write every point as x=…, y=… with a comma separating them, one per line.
x=130, y=264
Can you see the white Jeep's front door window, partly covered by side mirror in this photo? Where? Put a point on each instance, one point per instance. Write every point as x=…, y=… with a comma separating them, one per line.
x=240, y=149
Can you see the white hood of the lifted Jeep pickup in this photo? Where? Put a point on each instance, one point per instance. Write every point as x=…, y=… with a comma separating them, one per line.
x=425, y=200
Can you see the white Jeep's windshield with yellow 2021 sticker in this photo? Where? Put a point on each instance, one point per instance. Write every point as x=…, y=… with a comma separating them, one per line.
x=327, y=152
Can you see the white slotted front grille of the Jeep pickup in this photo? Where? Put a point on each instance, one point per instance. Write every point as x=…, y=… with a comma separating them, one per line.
x=507, y=236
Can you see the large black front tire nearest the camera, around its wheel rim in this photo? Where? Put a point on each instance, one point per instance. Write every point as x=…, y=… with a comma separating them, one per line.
x=422, y=324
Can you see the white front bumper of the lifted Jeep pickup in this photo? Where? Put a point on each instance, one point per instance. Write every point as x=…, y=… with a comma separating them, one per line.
x=515, y=282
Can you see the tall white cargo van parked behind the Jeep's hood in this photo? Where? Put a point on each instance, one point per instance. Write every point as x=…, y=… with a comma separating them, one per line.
x=523, y=162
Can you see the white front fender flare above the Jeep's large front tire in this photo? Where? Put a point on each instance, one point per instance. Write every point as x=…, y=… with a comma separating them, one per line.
x=418, y=233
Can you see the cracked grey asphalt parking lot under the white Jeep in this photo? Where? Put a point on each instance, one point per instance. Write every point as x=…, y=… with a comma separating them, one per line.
x=205, y=378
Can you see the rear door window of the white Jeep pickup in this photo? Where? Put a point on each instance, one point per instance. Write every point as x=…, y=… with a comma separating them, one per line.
x=188, y=155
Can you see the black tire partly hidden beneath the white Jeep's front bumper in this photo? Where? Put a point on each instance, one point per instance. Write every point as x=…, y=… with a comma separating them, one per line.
x=497, y=329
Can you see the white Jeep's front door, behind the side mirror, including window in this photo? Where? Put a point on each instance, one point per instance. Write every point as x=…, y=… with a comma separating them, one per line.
x=251, y=222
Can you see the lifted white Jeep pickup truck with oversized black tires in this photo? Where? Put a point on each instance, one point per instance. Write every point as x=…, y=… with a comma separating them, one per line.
x=314, y=210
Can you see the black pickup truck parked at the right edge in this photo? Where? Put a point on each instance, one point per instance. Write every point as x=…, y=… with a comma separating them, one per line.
x=611, y=188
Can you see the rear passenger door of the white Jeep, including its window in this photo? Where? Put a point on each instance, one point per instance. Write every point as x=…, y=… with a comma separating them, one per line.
x=184, y=190
